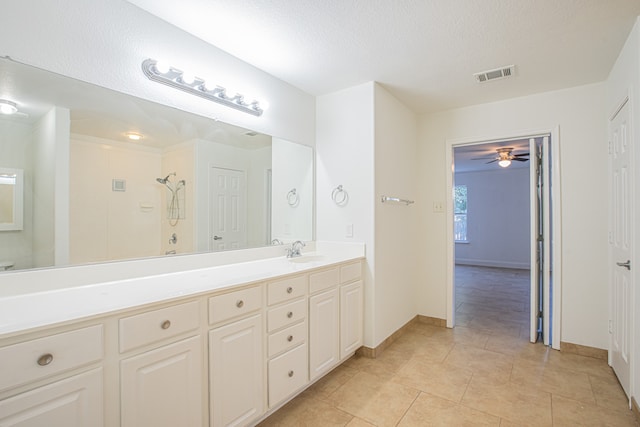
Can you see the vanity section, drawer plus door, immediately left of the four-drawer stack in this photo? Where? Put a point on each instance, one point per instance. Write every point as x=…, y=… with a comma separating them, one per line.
x=236, y=381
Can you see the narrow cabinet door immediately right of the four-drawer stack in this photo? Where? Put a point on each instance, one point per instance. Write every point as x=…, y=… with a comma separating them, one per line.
x=324, y=330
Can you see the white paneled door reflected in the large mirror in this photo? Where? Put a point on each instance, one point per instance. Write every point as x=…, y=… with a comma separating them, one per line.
x=228, y=209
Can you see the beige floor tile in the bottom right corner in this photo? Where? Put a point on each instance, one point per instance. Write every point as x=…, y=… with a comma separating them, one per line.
x=567, y=412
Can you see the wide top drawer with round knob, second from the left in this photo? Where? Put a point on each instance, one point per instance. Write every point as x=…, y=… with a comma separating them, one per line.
x=157, y=325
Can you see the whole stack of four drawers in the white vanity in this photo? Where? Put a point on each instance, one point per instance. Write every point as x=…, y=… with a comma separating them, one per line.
x=287, y=365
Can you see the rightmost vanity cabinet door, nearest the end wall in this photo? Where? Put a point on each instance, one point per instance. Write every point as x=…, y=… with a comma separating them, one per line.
x=351, y=318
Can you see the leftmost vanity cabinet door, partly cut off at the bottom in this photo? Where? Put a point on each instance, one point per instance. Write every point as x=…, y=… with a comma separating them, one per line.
x=72, y=402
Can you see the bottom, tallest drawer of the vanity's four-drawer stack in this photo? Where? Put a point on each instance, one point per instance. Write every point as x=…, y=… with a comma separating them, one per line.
x=287, y=373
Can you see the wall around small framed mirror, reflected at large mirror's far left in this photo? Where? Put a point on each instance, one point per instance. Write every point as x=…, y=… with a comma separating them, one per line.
x=16, y=152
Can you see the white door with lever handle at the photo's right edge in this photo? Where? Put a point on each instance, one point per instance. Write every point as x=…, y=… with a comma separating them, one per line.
x=620, y=245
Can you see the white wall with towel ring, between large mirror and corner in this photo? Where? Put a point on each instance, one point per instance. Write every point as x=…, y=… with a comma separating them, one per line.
x=345, y=156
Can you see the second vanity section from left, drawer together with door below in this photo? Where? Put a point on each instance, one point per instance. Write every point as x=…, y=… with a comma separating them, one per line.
x=162, y=386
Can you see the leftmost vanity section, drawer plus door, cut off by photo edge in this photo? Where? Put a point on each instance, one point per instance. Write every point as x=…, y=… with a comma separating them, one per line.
x=72, y=397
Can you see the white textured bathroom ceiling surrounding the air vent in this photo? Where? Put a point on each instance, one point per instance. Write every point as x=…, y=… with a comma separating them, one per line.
x=424, y=51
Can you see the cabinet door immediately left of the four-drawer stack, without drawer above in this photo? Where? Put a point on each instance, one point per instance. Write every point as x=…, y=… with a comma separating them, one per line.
x=236, y=372
